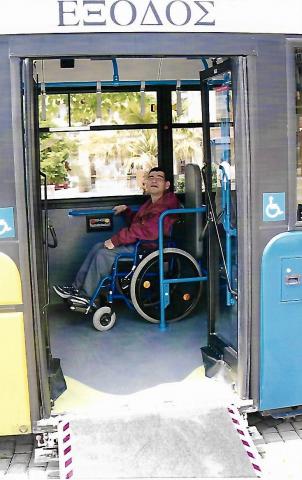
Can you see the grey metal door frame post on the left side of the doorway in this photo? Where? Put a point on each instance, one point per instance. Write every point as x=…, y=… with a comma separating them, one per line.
x=24, y=134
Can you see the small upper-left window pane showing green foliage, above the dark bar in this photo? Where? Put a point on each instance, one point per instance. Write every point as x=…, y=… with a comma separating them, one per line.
x=56, y=110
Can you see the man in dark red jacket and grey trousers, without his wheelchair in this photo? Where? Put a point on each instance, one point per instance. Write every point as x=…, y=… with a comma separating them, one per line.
x=143, y=225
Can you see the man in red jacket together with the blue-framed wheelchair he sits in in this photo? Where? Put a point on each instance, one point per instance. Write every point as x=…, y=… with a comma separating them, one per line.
x=103, y=271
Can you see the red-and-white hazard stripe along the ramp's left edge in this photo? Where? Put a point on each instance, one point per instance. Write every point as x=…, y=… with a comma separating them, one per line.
x=65, y=450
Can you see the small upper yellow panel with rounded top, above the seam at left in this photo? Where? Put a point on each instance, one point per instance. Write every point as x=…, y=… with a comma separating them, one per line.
x=10, y=282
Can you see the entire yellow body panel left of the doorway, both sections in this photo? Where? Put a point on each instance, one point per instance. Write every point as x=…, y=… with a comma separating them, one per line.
x=14, y=402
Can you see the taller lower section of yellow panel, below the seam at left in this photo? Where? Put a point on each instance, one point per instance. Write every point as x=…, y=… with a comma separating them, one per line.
x=14, y=393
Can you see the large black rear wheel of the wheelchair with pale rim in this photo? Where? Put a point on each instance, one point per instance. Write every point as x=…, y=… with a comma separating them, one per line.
x=144, y=288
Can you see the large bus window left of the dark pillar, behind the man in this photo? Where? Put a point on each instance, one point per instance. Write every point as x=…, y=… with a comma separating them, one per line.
x=101, y=161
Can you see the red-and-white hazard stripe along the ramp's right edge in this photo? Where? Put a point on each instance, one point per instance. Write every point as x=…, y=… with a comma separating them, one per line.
x=246, y=439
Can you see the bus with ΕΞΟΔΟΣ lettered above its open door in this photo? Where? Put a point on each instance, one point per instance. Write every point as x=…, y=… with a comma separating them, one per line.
x=95, y=94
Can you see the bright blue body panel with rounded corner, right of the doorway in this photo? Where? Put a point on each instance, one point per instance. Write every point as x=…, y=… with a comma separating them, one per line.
x=281, y=327
